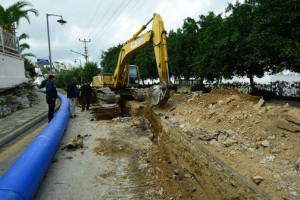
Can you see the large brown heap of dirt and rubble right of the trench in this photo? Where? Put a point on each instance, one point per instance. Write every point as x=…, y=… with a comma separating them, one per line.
x=258, y=139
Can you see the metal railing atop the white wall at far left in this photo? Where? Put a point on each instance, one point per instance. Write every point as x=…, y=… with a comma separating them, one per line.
x=9, y=43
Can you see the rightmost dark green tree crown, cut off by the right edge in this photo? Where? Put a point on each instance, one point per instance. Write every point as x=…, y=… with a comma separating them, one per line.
x=277, y=32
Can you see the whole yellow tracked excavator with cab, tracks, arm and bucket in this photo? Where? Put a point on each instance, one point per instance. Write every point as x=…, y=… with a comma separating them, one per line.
x=125, y=79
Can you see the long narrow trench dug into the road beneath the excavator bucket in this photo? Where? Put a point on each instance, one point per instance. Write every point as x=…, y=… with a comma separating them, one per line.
x=215, y=179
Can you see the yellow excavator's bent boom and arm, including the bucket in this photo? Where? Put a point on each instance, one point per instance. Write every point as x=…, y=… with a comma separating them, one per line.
x=156, y=36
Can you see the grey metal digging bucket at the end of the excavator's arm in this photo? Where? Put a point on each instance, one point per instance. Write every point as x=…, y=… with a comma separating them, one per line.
x=160, y=95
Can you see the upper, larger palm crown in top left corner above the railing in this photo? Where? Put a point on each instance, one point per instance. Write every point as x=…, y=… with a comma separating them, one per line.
x=13, y=14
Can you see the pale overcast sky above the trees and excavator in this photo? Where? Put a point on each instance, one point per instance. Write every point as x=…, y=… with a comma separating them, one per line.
x=106, y=23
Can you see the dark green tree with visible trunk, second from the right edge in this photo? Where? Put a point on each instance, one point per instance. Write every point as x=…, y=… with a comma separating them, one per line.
x=243, y=56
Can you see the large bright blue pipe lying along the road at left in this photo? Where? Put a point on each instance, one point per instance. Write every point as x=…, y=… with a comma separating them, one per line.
x=23, y=178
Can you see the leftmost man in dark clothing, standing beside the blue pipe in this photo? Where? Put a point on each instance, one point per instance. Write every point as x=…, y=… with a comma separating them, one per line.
x=51, y=96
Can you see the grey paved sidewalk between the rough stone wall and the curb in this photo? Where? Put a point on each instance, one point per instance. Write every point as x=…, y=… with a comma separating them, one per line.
x=15, y=124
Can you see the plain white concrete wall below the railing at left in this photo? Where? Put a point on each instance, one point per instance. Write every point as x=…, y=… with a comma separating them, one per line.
x=12, y=71
